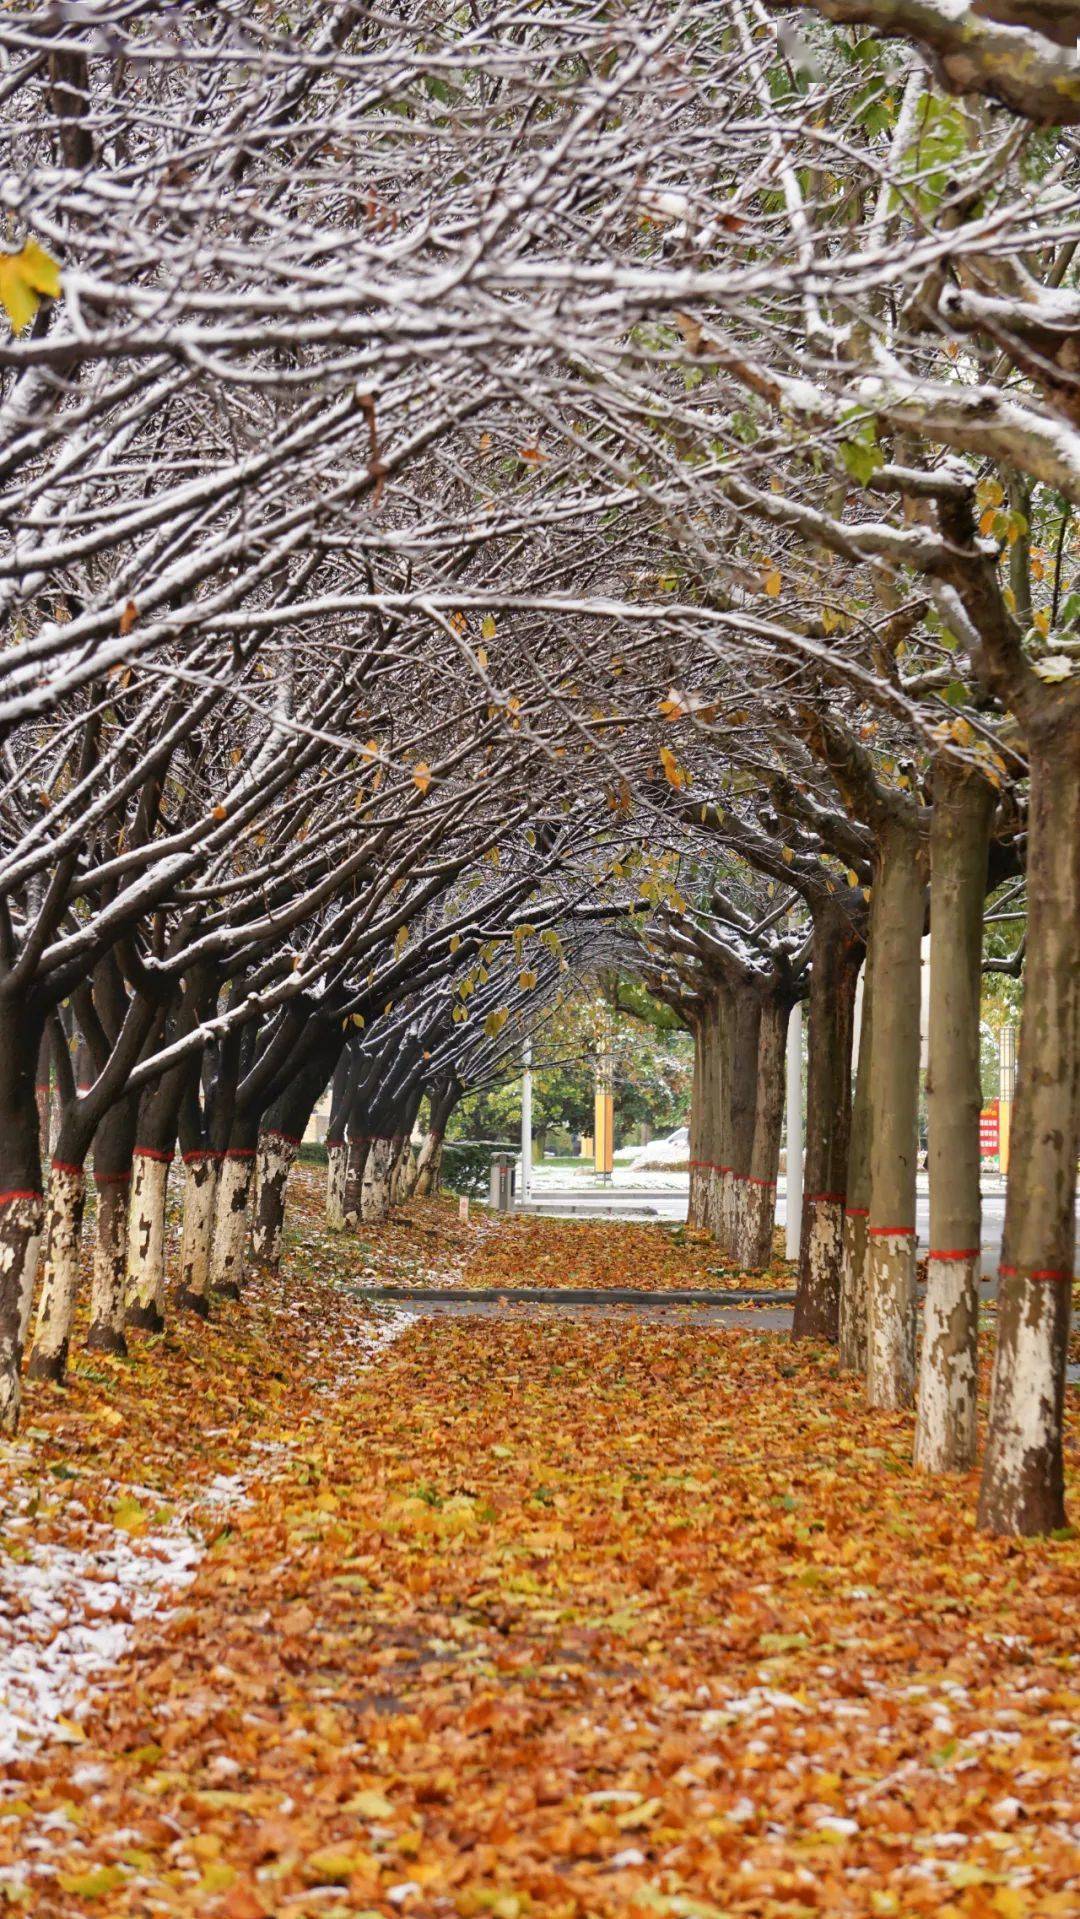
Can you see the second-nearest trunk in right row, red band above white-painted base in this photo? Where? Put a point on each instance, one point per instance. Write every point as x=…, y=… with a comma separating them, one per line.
x=949, y=1367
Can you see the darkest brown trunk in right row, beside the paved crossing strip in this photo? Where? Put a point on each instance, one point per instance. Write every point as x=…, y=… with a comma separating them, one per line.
x=833, y=976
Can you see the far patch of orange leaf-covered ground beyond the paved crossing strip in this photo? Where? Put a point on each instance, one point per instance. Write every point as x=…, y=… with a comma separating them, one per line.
x=427, y=1244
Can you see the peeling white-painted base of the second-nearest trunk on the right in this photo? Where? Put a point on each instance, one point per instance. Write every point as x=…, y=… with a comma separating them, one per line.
x=949, y=1367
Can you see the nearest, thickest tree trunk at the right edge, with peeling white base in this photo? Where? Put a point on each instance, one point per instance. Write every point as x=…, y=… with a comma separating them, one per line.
x=1023, y=1482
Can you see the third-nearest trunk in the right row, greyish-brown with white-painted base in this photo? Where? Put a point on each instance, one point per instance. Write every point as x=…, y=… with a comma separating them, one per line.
x=895, y=1116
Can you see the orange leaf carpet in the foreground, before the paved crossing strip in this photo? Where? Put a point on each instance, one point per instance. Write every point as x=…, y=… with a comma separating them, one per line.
x=538, y=1617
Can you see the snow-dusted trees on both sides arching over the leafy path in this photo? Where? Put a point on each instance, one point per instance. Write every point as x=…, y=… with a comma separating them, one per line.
x=588, y=477
